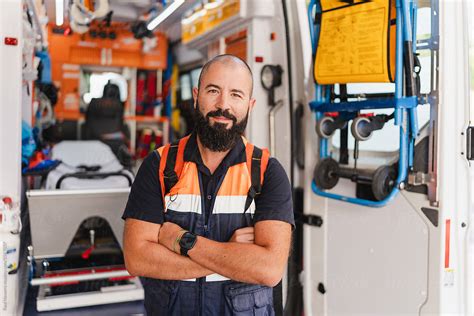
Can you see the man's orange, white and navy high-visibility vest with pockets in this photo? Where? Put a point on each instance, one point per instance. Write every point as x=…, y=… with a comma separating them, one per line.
x=232, y=207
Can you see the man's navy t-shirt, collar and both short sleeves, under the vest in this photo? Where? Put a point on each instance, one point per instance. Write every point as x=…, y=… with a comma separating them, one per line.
x=274, y=203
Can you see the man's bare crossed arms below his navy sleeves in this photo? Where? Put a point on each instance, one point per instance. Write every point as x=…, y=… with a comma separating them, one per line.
x=256, y=255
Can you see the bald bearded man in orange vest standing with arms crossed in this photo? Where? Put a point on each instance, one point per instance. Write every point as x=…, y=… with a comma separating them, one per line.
x=209, y=218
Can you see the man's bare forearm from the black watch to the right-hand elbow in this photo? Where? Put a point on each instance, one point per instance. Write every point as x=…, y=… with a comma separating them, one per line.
x=247, y=263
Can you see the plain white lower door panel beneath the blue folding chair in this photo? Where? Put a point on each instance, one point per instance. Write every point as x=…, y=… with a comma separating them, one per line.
x=377, y=259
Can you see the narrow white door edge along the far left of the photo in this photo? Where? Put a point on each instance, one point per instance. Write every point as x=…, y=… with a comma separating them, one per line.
x=10, y=148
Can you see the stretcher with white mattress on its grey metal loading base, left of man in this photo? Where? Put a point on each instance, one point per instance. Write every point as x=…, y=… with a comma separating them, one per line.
x=76, y=256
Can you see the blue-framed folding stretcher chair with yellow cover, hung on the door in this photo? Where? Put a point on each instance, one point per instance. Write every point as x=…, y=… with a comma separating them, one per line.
x=371, y=42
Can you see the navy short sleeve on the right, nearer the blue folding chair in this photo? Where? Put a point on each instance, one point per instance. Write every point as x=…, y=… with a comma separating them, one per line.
x=275, y=201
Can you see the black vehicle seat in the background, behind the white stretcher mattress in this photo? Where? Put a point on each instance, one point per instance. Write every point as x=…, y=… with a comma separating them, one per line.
x=105, y=121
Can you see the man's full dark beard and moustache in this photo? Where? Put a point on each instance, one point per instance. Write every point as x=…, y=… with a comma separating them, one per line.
x=217, y=137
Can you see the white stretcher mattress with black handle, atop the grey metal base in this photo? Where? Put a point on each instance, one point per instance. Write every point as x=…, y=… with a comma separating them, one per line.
x=87, y=165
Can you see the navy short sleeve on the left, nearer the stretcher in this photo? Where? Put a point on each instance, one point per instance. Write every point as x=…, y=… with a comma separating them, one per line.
x=145, y=201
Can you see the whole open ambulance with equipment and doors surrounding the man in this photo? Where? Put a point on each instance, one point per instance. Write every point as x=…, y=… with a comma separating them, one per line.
x=368, y=105
